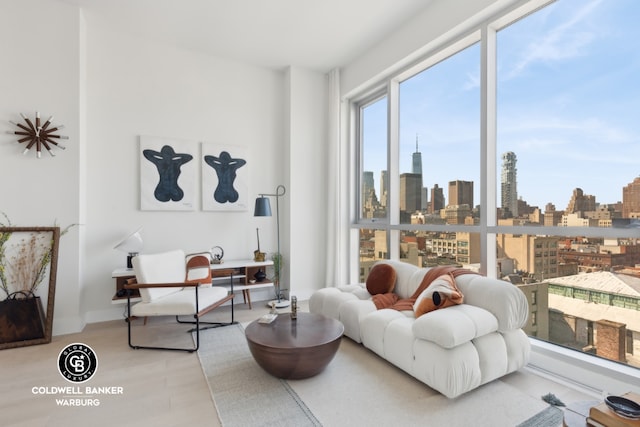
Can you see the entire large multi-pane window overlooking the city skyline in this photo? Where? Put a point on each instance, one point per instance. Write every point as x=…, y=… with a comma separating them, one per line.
x=562, y=188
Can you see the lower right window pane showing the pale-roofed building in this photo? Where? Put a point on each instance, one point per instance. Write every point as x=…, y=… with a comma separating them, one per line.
x=582, y=293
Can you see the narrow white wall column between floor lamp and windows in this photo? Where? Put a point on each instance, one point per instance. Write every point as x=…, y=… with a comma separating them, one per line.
x=307, y=100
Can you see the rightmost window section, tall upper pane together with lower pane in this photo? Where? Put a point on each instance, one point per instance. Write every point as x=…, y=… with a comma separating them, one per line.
x=568, y=143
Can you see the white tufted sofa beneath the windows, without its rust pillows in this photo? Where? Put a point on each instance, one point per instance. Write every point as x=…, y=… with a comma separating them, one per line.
x=452, y=350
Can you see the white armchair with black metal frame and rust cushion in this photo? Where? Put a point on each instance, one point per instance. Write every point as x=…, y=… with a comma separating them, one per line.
x=171, y=285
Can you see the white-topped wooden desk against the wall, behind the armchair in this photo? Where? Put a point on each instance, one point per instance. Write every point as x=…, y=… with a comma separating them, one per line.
x=242, y=272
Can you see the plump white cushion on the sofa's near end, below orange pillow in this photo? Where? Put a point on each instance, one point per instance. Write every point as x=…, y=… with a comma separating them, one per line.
x=455, y=325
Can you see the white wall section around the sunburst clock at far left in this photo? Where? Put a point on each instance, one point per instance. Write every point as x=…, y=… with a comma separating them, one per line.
x=39, y=46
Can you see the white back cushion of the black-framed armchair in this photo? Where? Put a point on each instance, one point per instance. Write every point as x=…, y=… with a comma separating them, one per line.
x=166, y=267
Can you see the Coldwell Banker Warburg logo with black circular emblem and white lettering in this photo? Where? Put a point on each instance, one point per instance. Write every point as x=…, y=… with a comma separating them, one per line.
x=77, y=363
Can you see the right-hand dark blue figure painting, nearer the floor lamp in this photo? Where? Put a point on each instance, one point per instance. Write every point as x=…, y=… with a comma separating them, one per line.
x=225, y=178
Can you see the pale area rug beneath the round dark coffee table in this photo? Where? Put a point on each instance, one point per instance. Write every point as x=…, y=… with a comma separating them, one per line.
x=358, y=388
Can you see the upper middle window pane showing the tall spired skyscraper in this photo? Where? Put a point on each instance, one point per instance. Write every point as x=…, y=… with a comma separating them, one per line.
x=439, y=142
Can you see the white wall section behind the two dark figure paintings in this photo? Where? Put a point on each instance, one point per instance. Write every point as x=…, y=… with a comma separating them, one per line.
x=140, y=88
